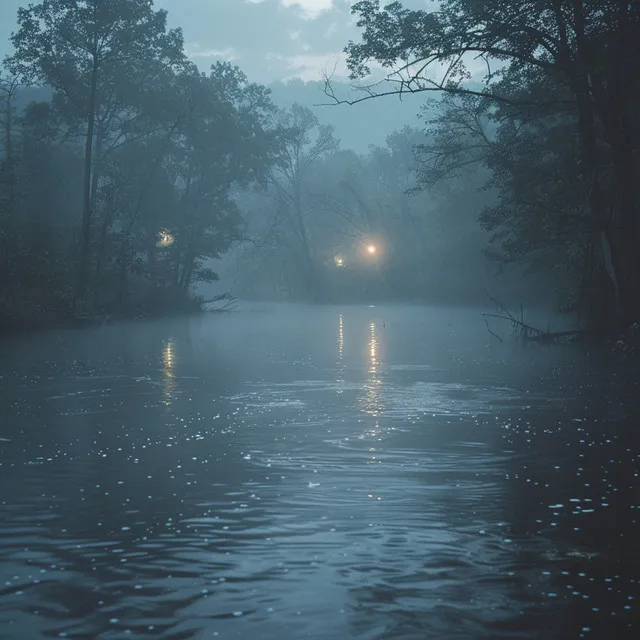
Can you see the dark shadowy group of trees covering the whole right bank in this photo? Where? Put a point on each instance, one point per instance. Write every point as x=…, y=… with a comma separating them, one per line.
x=554, y=121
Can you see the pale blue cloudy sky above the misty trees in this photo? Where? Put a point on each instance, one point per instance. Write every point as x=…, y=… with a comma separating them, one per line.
x=268, y=39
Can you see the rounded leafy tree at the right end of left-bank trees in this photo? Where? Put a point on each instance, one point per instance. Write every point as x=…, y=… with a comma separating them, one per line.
x=225, y=143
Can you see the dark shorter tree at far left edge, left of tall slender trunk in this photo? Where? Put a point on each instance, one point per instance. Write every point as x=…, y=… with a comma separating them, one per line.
x=34, y=261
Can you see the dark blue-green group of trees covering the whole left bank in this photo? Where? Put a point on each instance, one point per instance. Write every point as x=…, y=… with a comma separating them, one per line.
x=116, y=191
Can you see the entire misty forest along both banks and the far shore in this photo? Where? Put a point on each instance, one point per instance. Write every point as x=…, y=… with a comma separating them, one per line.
x=126, y=172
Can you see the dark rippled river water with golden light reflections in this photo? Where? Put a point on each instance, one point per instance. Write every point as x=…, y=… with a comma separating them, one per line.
x=305, y=472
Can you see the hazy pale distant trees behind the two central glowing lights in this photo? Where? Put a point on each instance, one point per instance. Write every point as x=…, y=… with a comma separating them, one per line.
x=323, y=208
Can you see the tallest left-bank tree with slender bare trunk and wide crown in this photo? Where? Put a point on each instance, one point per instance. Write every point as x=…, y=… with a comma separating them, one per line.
x=91, y=52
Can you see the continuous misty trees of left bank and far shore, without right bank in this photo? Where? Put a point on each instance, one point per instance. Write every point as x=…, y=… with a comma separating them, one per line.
x=133, y=171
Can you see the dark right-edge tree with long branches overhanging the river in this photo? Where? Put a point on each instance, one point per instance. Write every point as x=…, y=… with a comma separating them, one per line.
x=581, y=47
